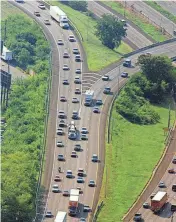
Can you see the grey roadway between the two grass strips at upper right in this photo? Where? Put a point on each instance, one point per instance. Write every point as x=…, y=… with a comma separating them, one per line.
x=153, y=15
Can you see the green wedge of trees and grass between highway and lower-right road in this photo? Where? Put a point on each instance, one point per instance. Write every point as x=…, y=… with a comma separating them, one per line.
x=137, y=137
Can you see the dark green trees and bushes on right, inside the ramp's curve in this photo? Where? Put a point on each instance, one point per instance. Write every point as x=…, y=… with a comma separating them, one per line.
x=155, y=82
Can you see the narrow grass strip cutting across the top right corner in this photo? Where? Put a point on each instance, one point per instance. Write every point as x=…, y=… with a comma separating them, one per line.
x=160, y=9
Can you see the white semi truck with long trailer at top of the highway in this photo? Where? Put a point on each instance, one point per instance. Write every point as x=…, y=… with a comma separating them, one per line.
x=57, y=14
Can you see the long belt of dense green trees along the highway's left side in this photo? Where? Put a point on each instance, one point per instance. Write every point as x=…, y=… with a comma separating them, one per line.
x=25, y=115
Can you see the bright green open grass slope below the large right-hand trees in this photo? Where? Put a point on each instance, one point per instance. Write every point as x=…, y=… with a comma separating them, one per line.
x=130, y=159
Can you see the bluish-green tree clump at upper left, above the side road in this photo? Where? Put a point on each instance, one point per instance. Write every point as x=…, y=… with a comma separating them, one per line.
x=25, y=41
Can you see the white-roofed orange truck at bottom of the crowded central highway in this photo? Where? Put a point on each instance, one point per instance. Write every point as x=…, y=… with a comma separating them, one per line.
x=73, y=202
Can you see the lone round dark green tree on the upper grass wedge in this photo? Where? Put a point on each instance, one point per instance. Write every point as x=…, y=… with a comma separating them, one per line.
x=110, y=31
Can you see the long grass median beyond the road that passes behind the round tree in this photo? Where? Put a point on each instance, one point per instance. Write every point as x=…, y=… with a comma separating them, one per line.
x=142, y=23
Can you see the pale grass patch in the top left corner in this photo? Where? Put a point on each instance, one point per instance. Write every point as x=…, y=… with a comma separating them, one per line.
x=8, y=9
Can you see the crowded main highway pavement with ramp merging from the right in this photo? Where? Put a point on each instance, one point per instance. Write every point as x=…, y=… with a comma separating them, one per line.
x=95, y=123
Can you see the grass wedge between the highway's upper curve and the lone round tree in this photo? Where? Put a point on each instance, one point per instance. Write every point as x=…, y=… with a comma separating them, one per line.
x=98, y=56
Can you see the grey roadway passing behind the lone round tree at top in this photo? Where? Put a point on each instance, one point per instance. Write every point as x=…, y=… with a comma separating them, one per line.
x=132, y=34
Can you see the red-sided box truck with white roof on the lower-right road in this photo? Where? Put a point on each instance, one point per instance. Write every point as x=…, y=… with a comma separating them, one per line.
x=158, y=201
